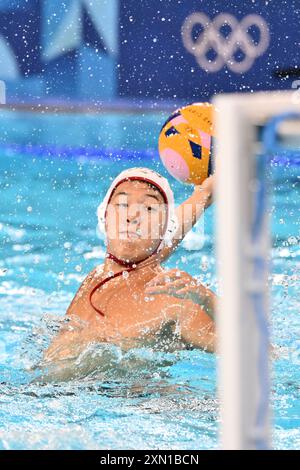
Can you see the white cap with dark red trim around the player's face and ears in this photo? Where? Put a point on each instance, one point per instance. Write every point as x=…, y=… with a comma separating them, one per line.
x=162, y=184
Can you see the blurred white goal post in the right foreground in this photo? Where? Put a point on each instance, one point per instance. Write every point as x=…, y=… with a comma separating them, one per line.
x=243, y=252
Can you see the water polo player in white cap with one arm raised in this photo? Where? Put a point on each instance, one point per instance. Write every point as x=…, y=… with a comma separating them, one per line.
x=131, y=297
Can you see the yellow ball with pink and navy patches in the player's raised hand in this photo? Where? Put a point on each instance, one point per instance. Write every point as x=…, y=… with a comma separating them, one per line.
x=185, y=143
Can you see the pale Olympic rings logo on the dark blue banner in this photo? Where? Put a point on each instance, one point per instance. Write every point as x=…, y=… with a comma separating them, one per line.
x=211, y=38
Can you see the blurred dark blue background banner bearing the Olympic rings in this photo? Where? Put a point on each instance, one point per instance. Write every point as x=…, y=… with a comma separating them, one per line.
x=103, y=50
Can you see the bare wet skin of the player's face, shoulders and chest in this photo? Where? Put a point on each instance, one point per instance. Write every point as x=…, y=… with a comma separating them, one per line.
x=136, y=312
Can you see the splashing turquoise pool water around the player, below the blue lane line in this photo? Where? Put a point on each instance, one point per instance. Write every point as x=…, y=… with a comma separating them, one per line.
x=143, y=398
